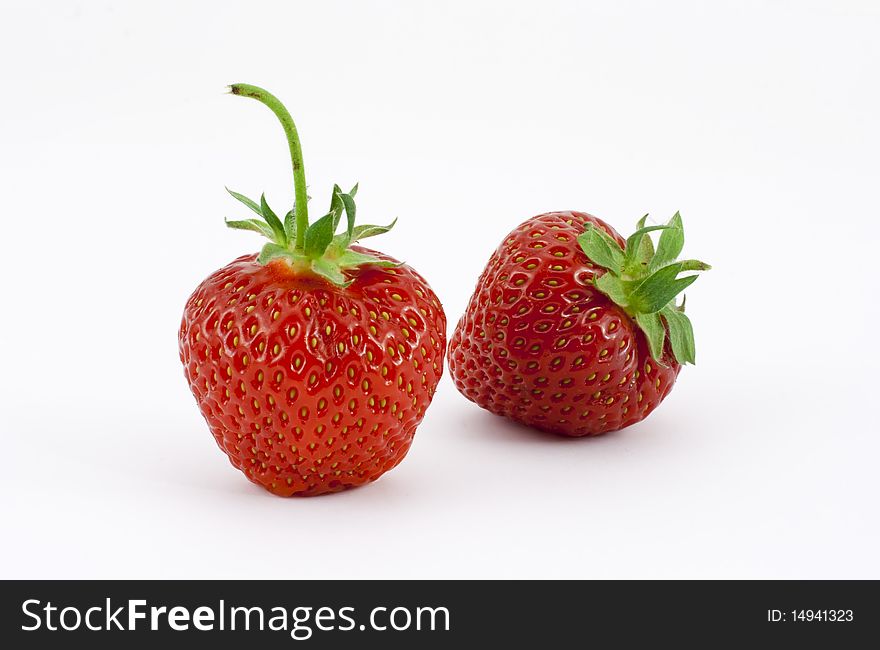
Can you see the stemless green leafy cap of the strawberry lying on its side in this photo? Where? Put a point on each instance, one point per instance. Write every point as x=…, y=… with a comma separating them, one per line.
x=645, y=281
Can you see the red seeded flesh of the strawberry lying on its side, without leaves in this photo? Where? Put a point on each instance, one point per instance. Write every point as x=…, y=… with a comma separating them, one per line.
x=540, y=344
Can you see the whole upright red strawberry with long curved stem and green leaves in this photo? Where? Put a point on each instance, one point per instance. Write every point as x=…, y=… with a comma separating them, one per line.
x=314, y=361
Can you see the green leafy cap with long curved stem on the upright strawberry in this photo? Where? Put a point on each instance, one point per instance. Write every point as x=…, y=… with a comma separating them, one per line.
x=314, y=247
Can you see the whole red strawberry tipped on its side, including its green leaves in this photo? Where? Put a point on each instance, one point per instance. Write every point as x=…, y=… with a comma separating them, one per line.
x=573, y=330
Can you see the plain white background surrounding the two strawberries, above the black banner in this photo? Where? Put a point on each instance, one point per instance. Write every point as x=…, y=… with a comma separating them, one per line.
x=758, y=120
